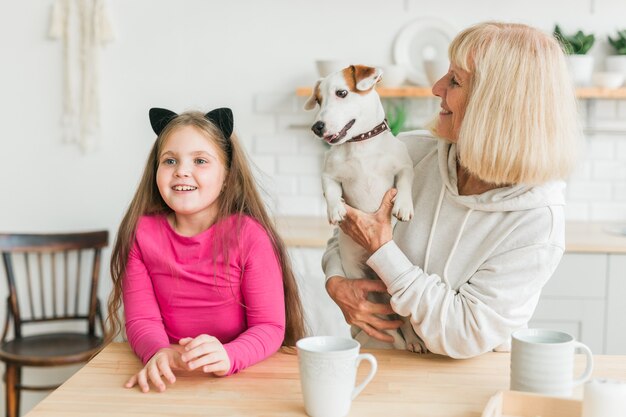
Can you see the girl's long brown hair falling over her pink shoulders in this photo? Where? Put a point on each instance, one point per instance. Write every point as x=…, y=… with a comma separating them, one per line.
x=240, y=197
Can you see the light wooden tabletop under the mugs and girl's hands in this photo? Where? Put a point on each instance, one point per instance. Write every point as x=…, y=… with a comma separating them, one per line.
x=406, y=385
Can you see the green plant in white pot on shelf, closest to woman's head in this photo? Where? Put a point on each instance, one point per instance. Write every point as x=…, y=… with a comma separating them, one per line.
x=576, y=47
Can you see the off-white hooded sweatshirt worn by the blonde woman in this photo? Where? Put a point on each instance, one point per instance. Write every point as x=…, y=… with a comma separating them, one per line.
x=466, y=271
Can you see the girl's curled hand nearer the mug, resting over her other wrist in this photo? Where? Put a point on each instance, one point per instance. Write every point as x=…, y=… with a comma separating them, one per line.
x=207, y=352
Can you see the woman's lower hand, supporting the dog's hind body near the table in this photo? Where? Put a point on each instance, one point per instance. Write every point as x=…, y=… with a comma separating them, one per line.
x=351, y=297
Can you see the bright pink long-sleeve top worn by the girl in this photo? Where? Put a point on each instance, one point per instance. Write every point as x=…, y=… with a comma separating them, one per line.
x=174, y=289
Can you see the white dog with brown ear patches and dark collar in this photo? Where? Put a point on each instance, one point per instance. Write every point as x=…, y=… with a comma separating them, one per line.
x=364, y=161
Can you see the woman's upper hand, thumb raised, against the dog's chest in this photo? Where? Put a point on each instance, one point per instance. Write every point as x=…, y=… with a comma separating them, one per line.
x=370, y=230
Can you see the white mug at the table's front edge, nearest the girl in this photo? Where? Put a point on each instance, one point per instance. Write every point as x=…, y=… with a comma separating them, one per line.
x=328, y=367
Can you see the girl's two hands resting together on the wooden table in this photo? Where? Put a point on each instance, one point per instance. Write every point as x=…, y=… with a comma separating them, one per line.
x=202, y=352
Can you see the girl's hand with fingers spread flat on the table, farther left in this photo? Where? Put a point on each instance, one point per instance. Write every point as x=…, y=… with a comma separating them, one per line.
x=160, y=364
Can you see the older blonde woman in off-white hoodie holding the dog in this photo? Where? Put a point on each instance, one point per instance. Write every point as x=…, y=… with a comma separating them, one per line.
x=488, y=193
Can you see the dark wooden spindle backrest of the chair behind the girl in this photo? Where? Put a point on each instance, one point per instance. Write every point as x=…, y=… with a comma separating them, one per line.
x=53, y=270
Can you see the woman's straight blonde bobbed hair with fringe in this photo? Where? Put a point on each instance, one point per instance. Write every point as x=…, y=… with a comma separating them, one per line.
x=521, y=124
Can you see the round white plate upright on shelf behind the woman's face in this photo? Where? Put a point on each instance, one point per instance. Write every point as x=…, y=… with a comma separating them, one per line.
x=422, y=39
